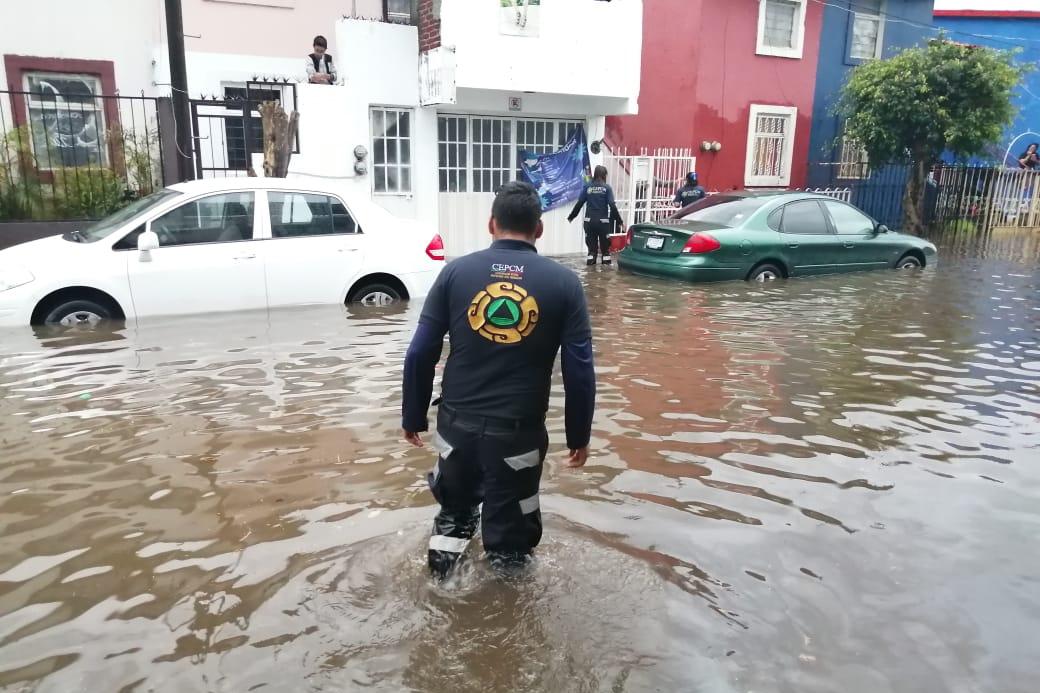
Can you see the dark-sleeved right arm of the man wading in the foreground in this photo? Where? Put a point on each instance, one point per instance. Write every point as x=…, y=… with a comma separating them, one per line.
x=580, y=378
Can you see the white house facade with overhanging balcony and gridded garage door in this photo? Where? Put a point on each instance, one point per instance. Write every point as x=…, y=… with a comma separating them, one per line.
x=439, y=130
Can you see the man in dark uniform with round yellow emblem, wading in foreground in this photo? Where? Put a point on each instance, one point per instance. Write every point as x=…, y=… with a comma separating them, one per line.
x=508, y=312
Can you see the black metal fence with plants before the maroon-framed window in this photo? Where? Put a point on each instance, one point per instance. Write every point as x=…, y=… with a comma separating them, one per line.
x=74, y=155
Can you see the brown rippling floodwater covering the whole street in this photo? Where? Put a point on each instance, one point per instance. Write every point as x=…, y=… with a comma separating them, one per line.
x=813, y=486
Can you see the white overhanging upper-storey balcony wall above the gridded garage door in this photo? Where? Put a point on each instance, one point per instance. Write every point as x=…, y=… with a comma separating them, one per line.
x=583, y=47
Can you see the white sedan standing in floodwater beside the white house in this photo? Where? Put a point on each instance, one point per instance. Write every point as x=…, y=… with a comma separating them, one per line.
x=221, y=246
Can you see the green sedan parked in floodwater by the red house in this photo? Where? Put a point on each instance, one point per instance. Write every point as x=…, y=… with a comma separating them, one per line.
x=763, y=237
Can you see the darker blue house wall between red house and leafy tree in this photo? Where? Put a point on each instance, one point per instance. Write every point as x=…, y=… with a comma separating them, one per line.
x=908, y=24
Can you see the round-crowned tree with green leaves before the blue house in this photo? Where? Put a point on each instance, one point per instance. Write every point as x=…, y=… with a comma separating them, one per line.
x=942, y=97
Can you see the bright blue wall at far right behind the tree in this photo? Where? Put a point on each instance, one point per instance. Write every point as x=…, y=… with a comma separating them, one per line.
x=1002, y=34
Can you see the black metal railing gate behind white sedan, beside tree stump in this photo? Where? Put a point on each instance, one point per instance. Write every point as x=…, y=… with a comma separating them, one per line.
x=227, y=131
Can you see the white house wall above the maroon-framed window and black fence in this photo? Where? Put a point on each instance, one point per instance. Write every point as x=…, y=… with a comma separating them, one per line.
x=124, y=32
